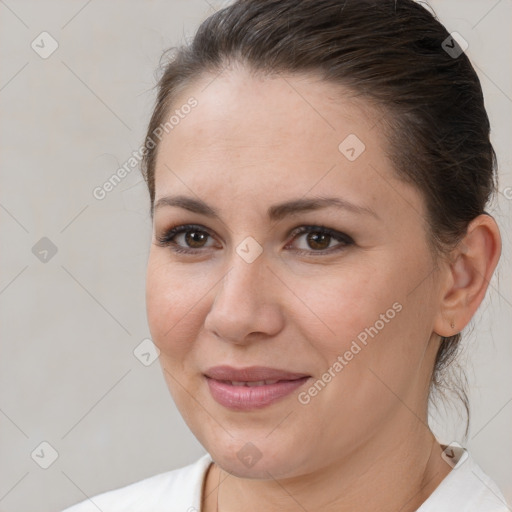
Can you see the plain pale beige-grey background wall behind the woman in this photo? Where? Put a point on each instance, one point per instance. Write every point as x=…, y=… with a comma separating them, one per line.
x=69, y=325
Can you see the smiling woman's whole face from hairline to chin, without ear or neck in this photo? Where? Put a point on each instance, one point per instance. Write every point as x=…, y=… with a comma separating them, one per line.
x=343, y=318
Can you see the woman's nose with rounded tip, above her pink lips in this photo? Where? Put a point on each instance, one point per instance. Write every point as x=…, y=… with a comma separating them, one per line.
x=246, y=305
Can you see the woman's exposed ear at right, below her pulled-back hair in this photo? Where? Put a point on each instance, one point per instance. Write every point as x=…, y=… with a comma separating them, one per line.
x=468, y=272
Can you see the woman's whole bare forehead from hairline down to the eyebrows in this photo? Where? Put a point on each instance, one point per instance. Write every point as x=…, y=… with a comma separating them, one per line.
x=272, y=137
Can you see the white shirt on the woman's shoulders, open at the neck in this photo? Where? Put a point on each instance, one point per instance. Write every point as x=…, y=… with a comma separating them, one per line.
x=465, y=489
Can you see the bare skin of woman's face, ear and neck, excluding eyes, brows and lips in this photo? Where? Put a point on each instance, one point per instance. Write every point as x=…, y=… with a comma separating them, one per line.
x=362, y=443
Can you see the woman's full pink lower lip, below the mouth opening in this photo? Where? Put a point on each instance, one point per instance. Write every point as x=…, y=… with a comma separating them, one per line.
x=243, y=398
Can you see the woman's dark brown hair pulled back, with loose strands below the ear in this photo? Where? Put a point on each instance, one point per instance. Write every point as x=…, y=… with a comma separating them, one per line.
x=395, y=54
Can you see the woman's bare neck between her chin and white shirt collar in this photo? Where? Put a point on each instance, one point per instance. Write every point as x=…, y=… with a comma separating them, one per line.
x=398, y=474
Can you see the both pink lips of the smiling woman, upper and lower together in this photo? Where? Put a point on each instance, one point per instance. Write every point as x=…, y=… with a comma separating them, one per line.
x=243, y=397
